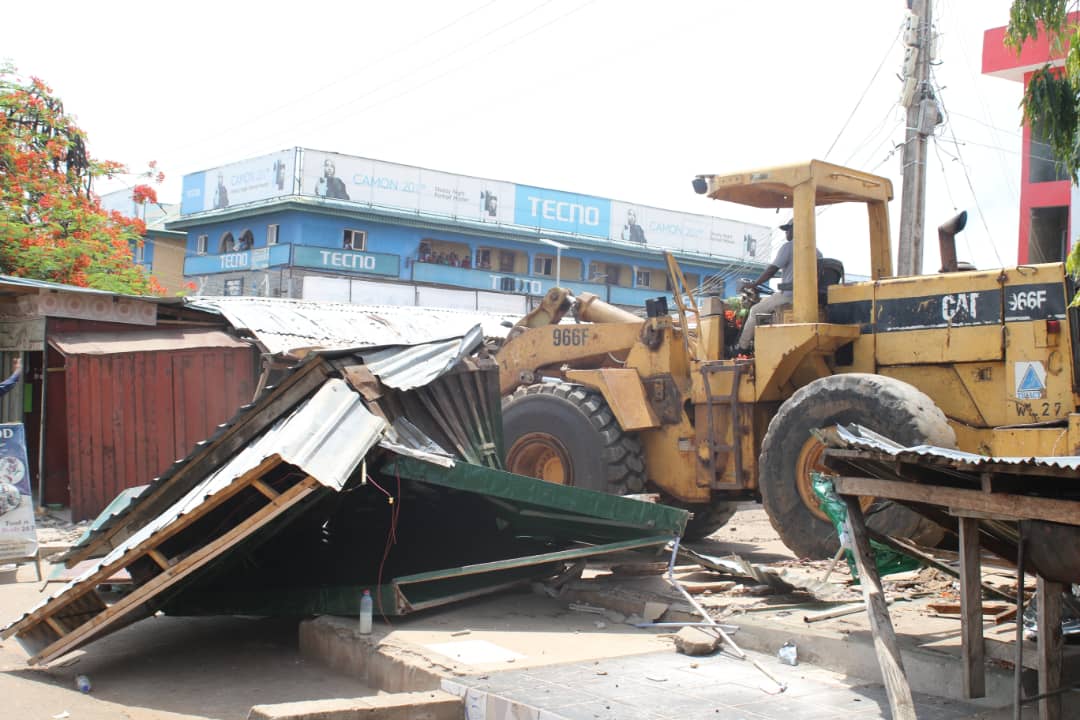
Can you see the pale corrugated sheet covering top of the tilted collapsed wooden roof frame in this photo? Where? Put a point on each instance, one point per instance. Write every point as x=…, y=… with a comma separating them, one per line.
x=327, y=438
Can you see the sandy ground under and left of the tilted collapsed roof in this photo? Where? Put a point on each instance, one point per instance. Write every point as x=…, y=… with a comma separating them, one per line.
x=160, y=668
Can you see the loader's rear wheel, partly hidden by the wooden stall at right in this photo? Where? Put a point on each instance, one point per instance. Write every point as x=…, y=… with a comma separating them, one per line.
x=790, y=453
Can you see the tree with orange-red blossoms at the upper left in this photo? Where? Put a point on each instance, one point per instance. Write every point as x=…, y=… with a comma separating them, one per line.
x=52, y=225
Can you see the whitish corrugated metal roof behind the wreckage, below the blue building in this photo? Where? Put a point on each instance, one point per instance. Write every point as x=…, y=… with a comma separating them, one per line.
x=282, y=325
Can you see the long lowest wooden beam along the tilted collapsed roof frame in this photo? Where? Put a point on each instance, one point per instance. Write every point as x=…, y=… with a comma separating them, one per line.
x=178, y=573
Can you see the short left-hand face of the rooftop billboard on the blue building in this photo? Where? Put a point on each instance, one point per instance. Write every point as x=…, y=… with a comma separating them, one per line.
x=248, y=182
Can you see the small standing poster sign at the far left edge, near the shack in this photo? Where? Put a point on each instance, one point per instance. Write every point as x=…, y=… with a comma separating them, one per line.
x=18, y=536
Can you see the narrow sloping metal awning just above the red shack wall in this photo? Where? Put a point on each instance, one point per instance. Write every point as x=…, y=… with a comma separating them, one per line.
x=133, y=342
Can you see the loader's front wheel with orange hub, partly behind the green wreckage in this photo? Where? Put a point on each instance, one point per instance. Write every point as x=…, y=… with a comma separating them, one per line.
x=568, y=434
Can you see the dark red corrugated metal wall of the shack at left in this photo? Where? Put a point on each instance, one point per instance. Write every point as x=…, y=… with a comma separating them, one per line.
x=131, y=415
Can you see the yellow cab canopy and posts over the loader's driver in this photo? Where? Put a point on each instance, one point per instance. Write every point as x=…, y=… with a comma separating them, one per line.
x=802, y=189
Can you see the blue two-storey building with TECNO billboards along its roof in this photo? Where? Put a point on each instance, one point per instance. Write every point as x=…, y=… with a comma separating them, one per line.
x=319, y=226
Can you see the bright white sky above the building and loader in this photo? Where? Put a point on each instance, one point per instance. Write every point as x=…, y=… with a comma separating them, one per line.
x=627, y=100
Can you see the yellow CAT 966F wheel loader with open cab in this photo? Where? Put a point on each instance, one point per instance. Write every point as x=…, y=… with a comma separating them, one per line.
x=982, y=361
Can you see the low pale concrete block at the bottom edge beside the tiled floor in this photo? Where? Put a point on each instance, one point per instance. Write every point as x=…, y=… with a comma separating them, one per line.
x=430, y=705
